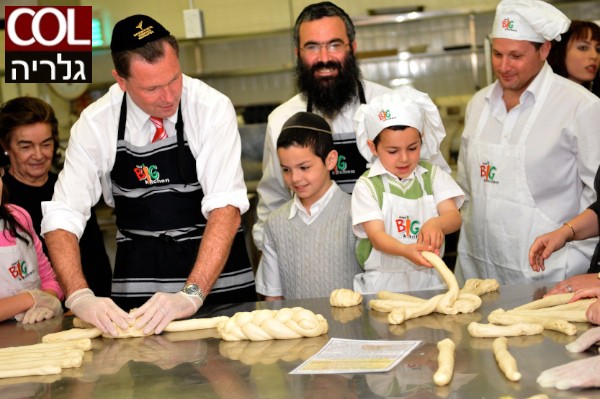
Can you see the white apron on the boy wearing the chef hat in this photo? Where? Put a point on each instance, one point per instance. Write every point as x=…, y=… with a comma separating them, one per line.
x=403, y=219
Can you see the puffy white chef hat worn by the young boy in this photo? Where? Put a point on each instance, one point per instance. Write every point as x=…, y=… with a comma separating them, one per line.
x=404, y=106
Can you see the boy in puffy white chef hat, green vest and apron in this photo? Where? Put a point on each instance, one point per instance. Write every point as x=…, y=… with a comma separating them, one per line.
x=401, y=205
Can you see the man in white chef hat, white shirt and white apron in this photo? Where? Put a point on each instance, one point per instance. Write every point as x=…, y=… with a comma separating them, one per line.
x=529, y=153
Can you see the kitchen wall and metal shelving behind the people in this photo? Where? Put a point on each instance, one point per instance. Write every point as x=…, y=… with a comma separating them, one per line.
x=247, y=52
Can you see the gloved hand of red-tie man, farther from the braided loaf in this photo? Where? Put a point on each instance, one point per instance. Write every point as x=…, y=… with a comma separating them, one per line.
x=99, y=311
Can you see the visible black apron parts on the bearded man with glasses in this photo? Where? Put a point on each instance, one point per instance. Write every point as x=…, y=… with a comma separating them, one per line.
x=350, y=164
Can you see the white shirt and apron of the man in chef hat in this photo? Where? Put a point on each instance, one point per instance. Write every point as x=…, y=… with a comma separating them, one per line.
x=557, y=161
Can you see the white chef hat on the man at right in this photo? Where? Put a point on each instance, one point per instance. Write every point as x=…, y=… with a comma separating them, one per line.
x=531, y=20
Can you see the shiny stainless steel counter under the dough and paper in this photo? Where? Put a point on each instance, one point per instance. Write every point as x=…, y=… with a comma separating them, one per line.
x=199, y=365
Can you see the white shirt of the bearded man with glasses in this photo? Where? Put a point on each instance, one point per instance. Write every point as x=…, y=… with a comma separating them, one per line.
x=271, y=189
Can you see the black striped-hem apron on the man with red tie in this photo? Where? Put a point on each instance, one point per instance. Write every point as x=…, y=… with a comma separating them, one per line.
x=158, y=213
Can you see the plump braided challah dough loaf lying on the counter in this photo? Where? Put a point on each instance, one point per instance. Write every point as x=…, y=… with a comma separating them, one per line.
x=265, y=324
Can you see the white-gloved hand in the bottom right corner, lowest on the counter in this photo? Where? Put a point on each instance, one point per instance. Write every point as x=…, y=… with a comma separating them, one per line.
x=582, y=373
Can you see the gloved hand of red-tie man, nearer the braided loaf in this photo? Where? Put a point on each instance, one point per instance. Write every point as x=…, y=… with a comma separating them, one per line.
x=162, y=308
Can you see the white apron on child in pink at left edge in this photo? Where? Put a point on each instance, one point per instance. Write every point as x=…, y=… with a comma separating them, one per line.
x=19, y=267
